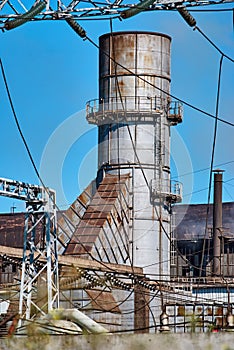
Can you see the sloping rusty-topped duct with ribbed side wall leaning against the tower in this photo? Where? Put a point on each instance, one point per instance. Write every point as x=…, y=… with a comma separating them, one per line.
x=99, y=230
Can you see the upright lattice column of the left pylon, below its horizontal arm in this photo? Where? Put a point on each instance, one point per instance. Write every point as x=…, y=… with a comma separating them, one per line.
x=40, y=241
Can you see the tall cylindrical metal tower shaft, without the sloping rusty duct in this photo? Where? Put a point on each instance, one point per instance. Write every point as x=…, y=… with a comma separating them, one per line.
x=134, y=137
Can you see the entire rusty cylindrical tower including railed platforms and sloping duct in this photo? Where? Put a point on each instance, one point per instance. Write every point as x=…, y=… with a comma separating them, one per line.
x=128, y=219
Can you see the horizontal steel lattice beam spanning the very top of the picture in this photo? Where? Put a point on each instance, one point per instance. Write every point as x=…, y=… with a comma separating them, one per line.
x=24, y=10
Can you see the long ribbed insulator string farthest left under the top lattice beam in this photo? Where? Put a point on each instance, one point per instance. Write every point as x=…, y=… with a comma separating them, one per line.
x=35, y=10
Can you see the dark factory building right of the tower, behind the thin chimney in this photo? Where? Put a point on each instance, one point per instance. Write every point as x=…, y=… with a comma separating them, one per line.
x=192, y=243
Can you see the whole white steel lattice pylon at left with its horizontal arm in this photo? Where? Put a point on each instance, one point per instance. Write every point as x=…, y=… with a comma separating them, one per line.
x=39, y=289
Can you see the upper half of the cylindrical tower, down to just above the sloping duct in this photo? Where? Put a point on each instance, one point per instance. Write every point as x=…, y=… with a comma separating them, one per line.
x=134, y=72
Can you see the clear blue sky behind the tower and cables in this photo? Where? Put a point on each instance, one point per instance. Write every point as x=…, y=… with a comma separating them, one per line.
x=52, y=73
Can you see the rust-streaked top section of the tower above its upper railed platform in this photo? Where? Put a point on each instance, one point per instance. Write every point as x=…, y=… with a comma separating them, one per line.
x=139, y=54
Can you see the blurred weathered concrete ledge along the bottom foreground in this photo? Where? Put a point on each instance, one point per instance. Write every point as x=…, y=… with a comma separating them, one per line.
x=220, y=341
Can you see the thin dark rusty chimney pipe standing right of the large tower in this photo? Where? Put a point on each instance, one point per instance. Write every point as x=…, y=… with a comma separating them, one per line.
x=217, y=222
